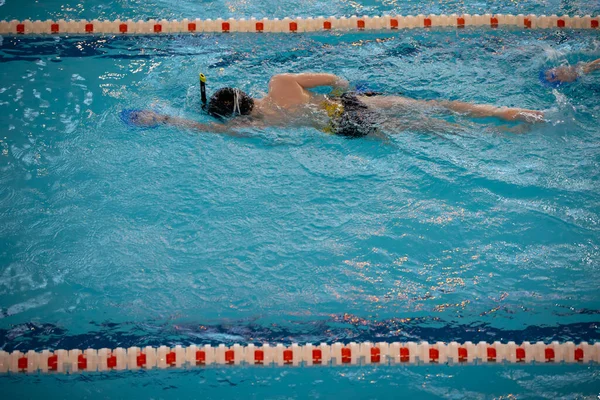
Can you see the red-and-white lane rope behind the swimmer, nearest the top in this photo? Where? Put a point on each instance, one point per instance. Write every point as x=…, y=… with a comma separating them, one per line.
x=294, y=25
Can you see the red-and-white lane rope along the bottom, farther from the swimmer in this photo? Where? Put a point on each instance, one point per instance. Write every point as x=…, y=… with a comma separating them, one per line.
x=406, y=353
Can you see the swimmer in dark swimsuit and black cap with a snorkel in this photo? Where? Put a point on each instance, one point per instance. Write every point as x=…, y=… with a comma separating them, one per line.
x=289, y=102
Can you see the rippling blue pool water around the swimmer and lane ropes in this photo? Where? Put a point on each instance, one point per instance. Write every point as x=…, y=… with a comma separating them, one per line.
x=112, y=236
